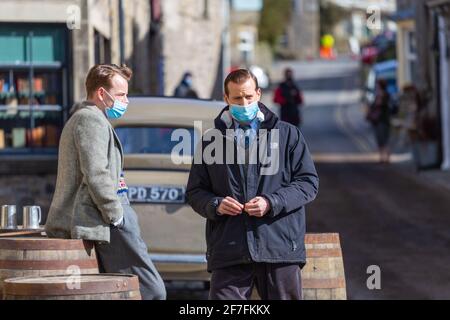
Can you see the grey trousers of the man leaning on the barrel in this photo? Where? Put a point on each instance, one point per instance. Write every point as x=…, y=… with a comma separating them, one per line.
x=127, y=253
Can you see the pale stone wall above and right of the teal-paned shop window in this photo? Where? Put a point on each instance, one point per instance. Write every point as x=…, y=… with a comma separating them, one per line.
x=99, y=15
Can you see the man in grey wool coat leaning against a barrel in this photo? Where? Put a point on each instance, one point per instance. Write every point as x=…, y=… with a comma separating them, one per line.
x=90, y=201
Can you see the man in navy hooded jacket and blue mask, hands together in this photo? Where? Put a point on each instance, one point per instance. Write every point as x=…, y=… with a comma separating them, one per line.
x=253, y=195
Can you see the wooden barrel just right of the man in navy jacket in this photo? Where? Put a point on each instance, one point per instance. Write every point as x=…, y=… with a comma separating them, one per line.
x=323, y=276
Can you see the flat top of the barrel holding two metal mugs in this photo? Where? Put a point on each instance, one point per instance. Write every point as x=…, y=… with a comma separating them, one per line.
x=25, y=243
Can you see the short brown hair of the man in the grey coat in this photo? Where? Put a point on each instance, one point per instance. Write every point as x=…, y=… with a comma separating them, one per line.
x=100, y=75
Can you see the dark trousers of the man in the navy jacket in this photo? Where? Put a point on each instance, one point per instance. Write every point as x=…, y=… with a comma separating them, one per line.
x=273, y=281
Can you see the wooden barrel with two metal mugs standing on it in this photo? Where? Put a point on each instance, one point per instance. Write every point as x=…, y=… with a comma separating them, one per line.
x=22, y=257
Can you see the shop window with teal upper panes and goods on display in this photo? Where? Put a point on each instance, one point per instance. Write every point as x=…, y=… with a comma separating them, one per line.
x=33, y=88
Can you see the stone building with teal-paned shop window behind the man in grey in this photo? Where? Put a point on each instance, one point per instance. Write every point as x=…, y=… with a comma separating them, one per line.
x=47, y=49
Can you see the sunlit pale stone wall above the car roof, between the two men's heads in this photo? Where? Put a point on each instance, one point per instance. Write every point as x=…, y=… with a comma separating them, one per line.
x=192, y=34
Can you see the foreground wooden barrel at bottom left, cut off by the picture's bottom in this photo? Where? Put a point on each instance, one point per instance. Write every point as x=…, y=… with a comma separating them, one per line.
x=81, y=287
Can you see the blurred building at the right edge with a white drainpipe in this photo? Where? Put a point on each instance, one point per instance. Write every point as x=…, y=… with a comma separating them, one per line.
x=423, y=53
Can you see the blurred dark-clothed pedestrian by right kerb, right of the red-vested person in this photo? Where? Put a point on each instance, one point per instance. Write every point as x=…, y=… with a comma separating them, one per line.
x=379, y=115
